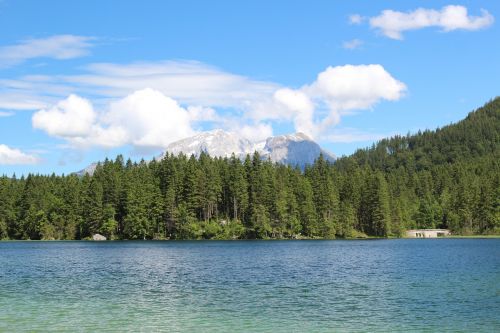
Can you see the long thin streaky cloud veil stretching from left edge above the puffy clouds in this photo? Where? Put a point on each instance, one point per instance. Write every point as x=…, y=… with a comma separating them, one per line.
x=188, y=82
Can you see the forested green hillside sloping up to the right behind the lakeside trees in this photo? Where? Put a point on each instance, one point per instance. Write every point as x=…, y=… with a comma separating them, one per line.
x=476, y=136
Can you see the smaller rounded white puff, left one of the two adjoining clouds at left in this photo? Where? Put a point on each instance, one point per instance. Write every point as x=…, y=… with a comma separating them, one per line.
x=72, y=117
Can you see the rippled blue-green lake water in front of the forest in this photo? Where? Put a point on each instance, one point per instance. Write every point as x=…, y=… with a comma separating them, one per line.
x=251, y=286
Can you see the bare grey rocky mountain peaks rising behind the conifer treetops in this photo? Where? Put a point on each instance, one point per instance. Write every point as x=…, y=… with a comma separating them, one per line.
x=293, y=149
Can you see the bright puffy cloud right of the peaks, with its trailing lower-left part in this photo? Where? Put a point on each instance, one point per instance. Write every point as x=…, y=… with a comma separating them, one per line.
x=337, y=91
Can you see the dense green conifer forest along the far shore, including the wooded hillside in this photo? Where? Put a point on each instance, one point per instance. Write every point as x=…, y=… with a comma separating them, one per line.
x=447, y=178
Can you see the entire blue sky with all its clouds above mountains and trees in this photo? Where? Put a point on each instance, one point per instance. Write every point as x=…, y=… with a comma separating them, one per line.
x=85, y=80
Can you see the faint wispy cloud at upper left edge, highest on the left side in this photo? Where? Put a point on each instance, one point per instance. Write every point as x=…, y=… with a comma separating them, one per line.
x=56, y=47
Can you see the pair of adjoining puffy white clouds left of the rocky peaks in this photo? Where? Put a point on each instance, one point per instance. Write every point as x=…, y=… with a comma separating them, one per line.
x=144, y=119
